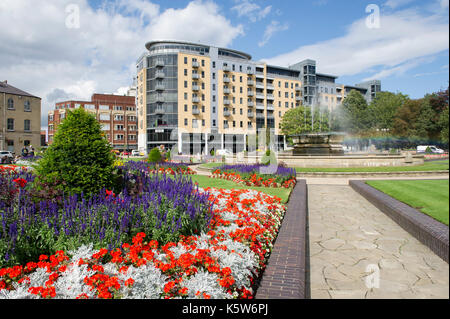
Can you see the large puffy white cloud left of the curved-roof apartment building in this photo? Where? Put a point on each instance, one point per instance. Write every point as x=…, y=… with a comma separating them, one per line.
x=41, y=55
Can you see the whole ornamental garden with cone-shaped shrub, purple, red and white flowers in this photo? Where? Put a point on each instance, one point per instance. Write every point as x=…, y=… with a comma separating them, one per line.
x=82, y=224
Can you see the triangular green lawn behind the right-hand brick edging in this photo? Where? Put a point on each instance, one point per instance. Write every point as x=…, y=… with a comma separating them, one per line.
x=429, y=196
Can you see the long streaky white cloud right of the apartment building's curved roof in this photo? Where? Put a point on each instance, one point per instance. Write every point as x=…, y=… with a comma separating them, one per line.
x=403, y=36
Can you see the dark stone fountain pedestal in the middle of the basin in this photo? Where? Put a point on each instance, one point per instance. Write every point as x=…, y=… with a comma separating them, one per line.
x=318, y=144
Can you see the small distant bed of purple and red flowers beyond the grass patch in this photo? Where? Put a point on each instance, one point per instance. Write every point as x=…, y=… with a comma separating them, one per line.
x=257, y=175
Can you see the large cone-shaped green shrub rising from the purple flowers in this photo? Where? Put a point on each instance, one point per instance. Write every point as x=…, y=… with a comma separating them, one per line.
x=80, y=156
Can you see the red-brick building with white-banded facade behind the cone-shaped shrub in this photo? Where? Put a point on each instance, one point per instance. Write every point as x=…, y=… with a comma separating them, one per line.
x=116, y=114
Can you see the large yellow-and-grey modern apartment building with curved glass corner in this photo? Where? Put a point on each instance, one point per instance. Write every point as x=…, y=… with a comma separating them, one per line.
x=201, y=98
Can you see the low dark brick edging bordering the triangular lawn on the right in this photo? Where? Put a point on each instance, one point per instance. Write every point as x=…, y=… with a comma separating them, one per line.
x=424, y=228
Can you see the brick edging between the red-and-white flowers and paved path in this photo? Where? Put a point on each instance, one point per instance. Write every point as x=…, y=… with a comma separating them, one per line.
x=285, y=274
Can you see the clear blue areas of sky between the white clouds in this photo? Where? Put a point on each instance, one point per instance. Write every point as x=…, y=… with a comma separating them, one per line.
x=302, y=23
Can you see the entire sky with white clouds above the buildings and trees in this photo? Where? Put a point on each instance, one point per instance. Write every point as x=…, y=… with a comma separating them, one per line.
x=70, y=49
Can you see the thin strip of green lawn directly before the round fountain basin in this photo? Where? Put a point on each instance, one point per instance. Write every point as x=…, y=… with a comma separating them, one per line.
x=427, y=166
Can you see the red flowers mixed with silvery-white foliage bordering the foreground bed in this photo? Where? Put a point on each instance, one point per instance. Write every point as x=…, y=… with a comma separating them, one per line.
x=221, y=262
